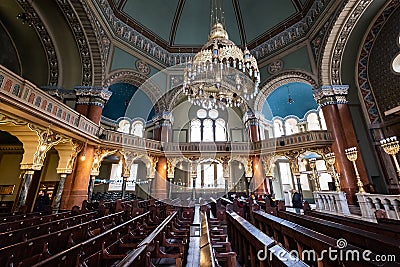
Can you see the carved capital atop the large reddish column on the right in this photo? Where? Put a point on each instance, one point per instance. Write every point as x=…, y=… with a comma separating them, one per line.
x=331, y=94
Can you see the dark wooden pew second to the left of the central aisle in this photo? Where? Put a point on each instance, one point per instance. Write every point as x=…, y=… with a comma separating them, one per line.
x=93, y=252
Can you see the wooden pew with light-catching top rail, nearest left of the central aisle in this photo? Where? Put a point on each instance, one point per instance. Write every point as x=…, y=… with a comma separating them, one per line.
x=137, y=256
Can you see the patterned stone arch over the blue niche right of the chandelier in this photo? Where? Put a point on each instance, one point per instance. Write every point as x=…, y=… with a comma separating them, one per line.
x=276, y=81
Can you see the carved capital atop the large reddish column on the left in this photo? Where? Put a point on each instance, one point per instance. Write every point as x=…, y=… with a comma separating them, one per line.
x=92, y=95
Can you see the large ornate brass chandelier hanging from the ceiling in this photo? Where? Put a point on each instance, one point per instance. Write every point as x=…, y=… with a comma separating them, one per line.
x=220, y=75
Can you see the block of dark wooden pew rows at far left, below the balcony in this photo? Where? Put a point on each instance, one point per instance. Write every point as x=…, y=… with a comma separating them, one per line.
x=35, y=238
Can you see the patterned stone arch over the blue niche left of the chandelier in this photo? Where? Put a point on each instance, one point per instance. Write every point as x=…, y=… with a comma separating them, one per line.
x=141, y=81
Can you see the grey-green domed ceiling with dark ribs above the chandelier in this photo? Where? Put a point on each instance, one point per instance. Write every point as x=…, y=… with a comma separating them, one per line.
x=183, y=25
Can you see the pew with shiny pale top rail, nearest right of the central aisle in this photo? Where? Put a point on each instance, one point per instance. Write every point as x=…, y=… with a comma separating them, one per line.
x=246, y=240
